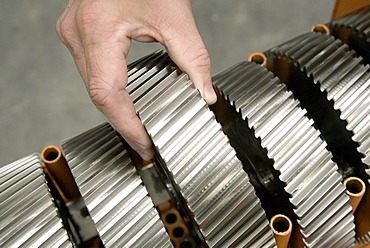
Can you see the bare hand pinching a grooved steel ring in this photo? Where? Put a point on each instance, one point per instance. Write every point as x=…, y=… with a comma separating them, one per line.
x=98, y=34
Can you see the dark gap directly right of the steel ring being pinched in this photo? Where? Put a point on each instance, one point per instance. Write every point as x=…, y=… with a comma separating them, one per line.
x=262, y=175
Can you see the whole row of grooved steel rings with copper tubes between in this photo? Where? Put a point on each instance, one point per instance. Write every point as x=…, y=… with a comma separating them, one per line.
x=282, y=159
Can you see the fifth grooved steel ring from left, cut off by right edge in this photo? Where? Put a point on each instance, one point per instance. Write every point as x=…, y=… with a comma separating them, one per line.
x=342, y=76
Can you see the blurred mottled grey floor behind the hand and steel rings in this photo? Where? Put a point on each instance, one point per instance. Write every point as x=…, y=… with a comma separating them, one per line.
x=42, y=97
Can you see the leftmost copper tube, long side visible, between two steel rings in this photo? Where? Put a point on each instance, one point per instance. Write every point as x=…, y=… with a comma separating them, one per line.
x=56, y=168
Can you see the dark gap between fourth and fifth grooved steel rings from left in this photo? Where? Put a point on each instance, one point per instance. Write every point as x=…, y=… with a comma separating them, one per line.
x=326, y=118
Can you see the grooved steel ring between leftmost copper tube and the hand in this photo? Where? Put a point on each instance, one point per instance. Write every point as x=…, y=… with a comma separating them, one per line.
x=113, y=192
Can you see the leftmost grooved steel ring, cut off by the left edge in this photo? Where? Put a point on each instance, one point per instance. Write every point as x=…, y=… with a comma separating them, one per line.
x=28, y=216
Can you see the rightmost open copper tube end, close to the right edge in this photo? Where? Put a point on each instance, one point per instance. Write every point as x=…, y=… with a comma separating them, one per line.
x=355, y=190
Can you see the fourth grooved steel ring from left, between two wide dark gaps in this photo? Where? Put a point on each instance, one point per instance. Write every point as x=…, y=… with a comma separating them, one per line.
x=298, y=152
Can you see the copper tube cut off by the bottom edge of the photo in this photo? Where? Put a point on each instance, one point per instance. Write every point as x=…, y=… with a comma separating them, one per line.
x=282, y=228
